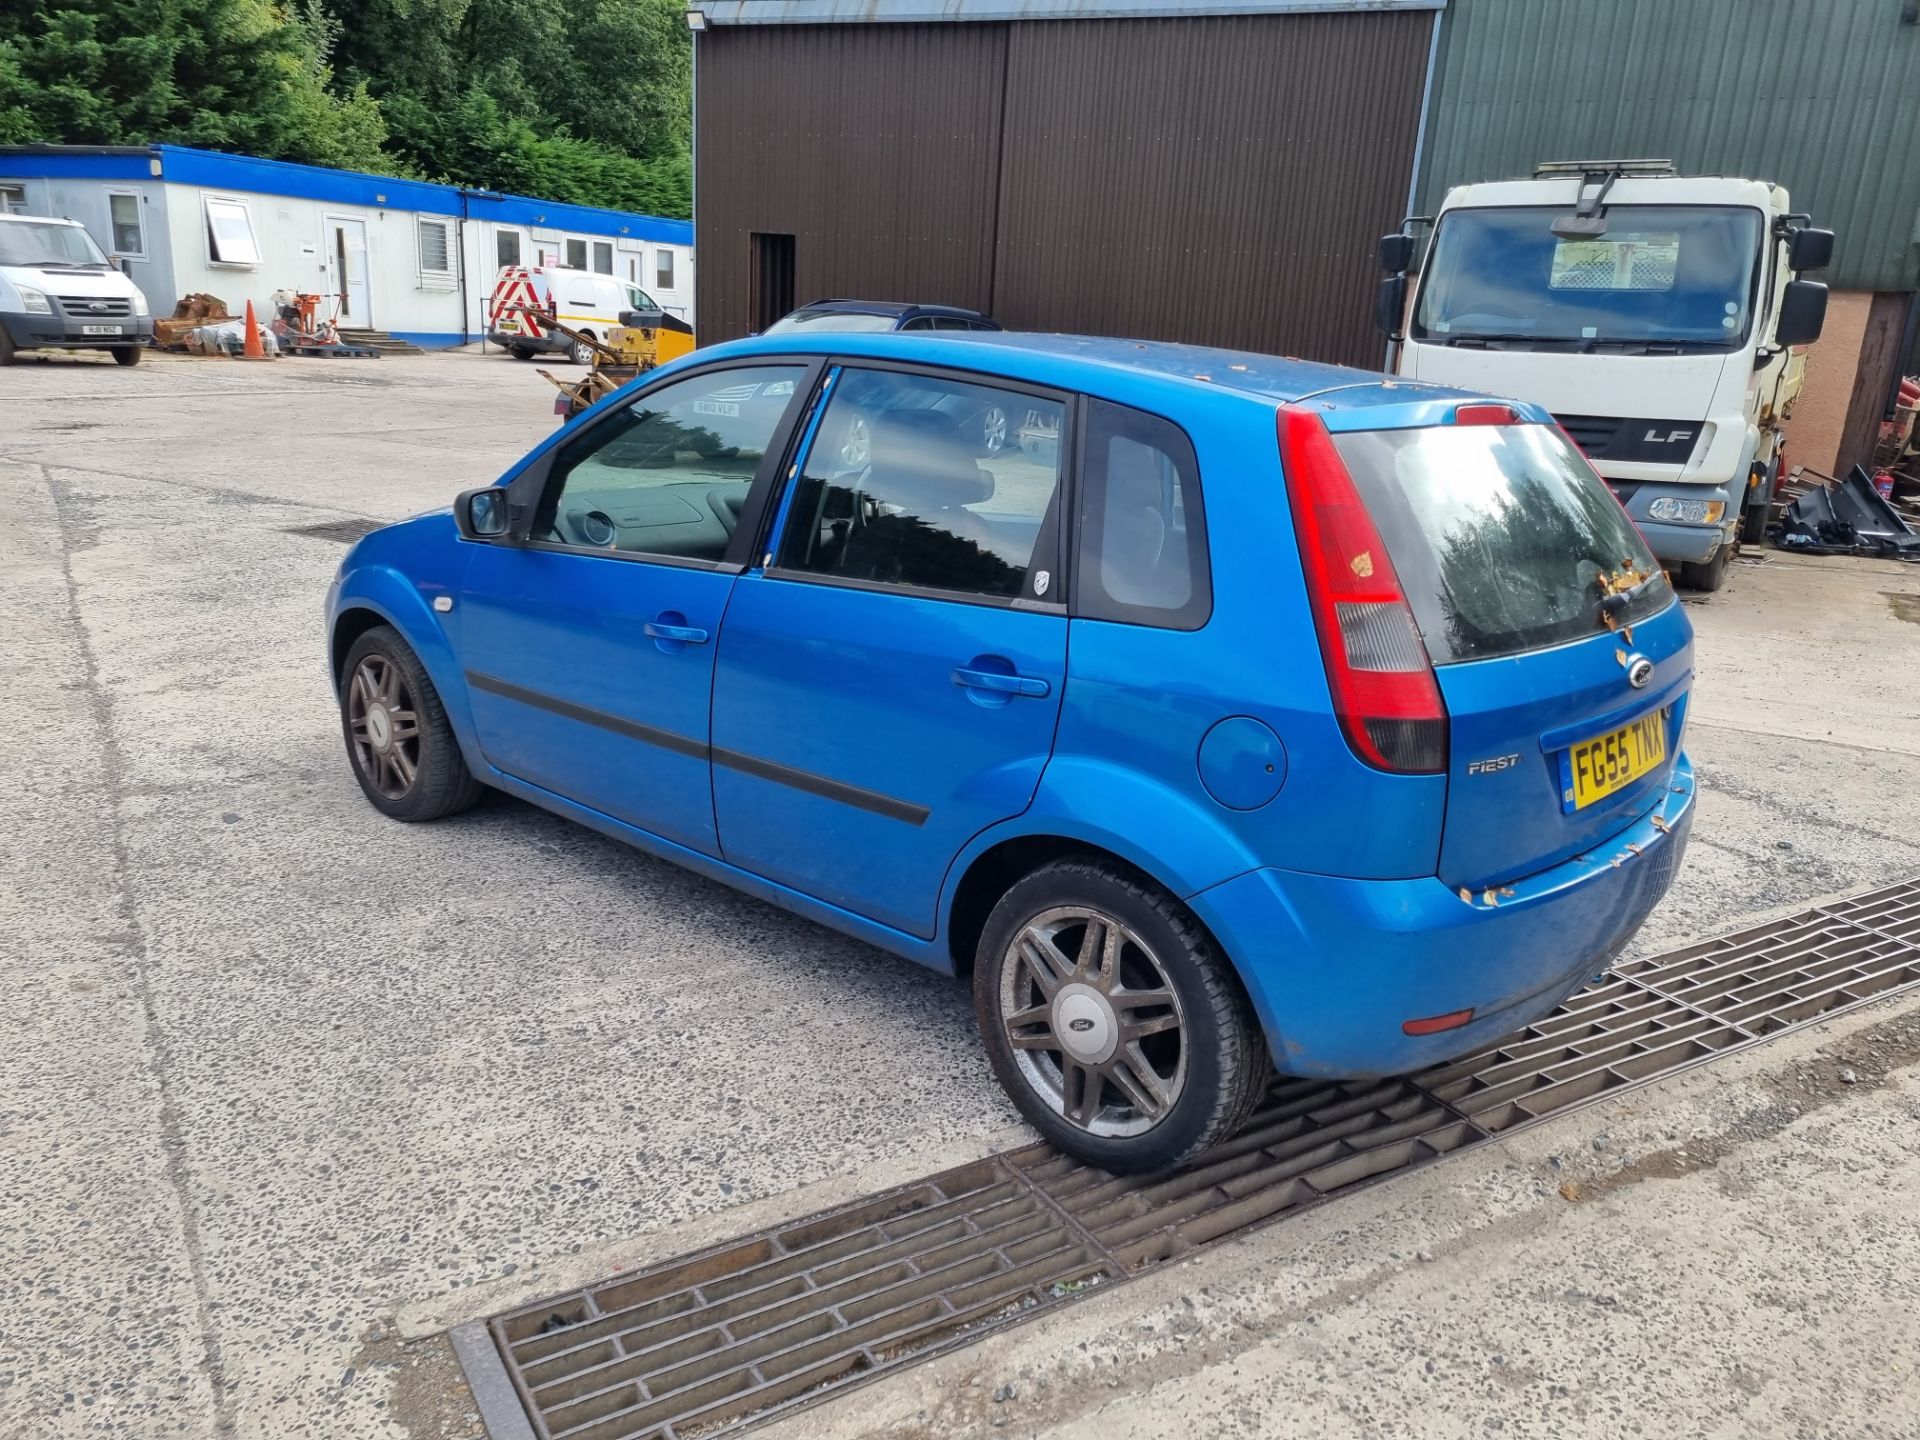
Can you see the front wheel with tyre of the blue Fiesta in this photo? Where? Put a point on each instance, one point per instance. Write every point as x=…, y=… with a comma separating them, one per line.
x=396, y=731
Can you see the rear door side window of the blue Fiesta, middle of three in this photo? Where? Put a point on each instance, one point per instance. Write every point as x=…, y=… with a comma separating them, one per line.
x=930, y=485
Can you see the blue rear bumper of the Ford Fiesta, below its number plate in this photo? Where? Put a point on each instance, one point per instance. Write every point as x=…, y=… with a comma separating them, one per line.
x=1335, y=967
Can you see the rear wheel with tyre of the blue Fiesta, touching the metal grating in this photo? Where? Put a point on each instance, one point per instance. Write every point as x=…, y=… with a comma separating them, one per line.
x=1205, y=1047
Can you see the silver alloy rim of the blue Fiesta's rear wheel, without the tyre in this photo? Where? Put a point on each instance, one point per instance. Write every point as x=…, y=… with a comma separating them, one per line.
x=1093, y=1022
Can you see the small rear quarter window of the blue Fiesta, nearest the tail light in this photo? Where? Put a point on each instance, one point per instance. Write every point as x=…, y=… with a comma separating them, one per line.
x=1143, y=552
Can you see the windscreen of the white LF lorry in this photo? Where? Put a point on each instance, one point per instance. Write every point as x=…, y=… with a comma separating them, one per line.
x=1660, y=276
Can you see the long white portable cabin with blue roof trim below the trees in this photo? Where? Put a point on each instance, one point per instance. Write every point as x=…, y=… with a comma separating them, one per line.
x=410, y=258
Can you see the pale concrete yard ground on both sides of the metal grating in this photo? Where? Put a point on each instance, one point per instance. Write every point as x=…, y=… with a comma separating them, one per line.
x=285, y=1090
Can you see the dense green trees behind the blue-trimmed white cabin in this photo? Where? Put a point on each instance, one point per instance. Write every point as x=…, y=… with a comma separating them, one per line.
x=583, y=101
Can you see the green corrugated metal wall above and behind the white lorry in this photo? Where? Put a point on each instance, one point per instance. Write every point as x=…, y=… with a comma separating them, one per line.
x=1817, y=95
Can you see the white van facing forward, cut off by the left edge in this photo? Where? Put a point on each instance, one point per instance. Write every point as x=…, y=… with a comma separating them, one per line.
x=60, y=293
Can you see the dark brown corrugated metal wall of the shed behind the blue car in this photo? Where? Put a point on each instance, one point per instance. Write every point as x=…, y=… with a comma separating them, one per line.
x=1216, y=181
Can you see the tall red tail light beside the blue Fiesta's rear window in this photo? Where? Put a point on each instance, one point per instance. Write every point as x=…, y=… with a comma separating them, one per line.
x=1378, y=667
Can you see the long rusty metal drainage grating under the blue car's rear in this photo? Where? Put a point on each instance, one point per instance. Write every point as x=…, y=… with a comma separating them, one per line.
x=790, y=1316
